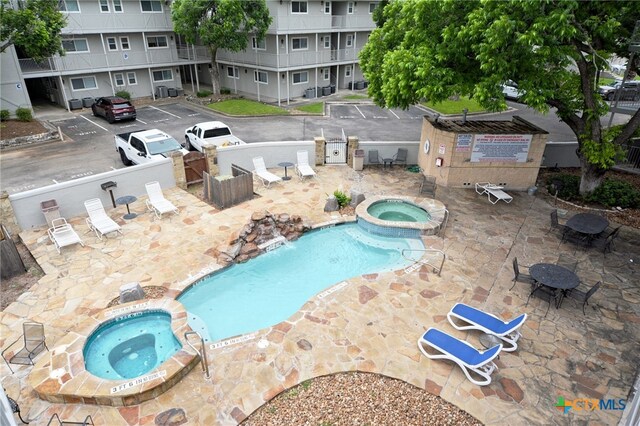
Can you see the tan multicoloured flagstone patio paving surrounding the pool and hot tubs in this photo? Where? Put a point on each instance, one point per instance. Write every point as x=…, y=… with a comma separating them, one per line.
x=372, y=324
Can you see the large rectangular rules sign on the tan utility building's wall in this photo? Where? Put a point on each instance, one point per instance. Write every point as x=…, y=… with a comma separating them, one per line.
x=501, y=148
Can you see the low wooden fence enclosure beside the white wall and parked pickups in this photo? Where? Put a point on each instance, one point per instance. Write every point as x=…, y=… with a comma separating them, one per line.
x=227, y=191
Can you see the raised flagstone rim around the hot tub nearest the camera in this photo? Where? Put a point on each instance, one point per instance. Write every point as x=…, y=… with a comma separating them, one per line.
x=61, y=377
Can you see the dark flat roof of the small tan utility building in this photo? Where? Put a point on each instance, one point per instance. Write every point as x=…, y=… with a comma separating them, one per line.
x=516, y=126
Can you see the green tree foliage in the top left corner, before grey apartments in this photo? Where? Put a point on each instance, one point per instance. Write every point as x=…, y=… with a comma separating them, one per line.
x=34, y=26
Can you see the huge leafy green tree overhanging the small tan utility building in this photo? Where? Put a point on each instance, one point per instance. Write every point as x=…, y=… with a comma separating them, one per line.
x=554, y=50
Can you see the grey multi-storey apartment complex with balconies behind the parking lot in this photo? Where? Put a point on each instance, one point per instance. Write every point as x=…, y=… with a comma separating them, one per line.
x=114, y=45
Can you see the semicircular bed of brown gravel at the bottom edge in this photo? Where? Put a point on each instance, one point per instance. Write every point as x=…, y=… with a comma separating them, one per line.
x=358, y=399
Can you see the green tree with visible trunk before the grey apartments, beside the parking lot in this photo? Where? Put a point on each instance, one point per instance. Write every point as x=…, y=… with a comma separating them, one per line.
x=220, y=24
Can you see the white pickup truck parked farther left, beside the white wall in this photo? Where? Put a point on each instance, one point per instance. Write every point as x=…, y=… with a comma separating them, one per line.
x=144, y=146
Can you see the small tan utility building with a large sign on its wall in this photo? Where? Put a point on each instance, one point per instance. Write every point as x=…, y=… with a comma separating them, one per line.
x=460, y=153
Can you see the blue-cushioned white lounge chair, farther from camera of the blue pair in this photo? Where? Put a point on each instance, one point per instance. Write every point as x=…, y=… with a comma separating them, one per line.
x=475, y=319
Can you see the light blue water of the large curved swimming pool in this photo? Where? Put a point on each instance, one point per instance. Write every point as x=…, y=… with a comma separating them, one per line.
x=270, y=288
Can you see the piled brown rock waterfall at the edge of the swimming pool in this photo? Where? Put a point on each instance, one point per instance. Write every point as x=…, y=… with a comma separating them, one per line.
x=265, y=231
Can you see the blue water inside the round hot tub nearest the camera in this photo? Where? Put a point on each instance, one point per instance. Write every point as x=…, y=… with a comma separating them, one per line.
x=130, y=346
